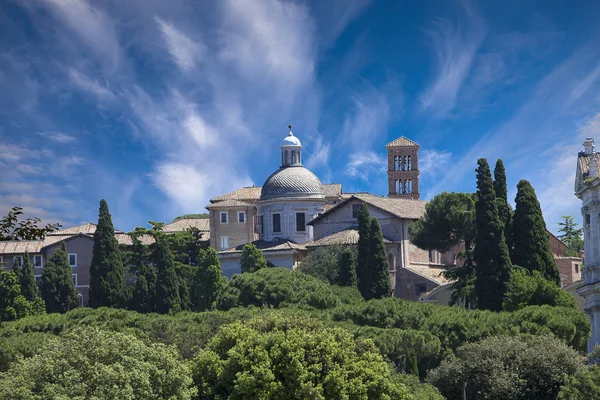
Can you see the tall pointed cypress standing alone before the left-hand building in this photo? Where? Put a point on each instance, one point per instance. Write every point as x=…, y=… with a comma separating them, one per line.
x=107, y=279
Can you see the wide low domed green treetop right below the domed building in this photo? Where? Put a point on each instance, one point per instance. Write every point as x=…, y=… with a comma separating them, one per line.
x=276, y=287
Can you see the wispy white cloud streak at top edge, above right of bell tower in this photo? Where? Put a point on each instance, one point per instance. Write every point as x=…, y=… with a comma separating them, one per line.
x=455, y=45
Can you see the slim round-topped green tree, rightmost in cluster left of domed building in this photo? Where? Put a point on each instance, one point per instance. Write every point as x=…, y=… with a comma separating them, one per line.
x=208, y=281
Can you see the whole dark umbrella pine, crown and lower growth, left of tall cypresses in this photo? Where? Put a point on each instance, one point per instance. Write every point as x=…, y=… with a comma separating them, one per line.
x=449, y=220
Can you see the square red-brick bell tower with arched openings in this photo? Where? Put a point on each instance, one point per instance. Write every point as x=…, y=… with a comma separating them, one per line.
x=403, y=169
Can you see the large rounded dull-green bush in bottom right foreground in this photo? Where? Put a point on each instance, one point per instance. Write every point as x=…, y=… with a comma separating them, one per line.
x=507, y=367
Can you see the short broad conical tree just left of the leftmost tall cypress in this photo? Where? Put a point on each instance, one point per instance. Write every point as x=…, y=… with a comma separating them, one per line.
x=56, y=285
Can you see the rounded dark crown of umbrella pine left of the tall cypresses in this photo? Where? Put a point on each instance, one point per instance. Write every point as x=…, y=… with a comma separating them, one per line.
x=449, y=219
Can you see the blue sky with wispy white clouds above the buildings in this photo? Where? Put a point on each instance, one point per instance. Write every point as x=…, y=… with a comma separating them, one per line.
x=158, y=106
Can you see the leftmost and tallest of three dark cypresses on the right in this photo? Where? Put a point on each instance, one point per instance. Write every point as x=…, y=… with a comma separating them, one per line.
x=492, y=269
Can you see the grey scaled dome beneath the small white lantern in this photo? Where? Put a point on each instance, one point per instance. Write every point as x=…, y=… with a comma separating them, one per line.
x=292, y=181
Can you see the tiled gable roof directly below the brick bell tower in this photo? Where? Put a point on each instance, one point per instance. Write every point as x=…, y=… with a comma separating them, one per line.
x=401, y=208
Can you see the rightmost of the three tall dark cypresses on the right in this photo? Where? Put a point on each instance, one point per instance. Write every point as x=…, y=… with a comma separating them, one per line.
x=532, y=246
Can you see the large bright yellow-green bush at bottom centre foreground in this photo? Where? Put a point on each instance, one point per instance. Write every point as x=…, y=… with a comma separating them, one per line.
x=288, y=358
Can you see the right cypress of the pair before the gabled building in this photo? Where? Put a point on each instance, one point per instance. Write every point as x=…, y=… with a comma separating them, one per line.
x=380, y=285
